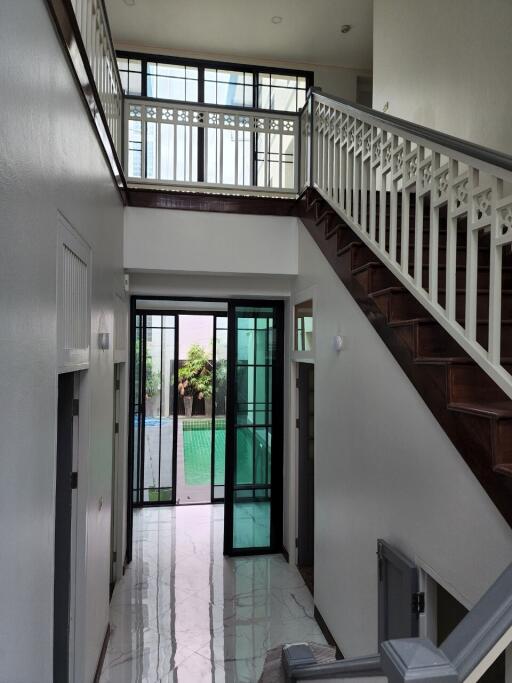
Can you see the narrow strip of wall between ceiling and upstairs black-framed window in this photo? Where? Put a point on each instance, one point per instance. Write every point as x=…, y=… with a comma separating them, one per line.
x=336, y=80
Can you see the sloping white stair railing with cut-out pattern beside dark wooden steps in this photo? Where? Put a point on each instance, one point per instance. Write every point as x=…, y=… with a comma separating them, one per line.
x=370, y=171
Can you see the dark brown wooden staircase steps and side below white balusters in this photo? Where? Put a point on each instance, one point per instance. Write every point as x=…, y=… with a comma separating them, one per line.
x=473, y=411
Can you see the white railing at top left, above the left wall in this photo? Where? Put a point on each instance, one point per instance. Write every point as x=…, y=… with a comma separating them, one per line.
x=93, y=24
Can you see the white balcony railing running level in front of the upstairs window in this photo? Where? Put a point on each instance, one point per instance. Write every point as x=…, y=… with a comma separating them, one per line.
x=179, y=144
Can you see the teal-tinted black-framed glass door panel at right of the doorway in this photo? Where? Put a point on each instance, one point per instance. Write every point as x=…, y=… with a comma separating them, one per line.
x=254, y=433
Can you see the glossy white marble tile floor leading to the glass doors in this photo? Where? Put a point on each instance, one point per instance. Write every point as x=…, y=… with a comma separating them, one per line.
x=185, y=613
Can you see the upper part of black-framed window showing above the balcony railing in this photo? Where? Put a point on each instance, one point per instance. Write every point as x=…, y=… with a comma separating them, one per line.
x=222, y=83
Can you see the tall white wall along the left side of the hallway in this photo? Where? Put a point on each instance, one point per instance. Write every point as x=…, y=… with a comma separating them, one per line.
x=50, y=161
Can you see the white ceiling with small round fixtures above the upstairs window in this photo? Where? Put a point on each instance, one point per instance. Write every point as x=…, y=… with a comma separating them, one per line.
x=309, y=33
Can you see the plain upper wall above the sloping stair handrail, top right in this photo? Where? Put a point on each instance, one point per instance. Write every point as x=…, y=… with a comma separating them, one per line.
x=446, y=65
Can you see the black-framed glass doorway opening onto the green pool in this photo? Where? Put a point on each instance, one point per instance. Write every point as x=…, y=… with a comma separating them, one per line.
x=206, y=412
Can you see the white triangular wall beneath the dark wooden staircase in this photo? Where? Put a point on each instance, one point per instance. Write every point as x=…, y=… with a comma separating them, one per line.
x=384, y=468
